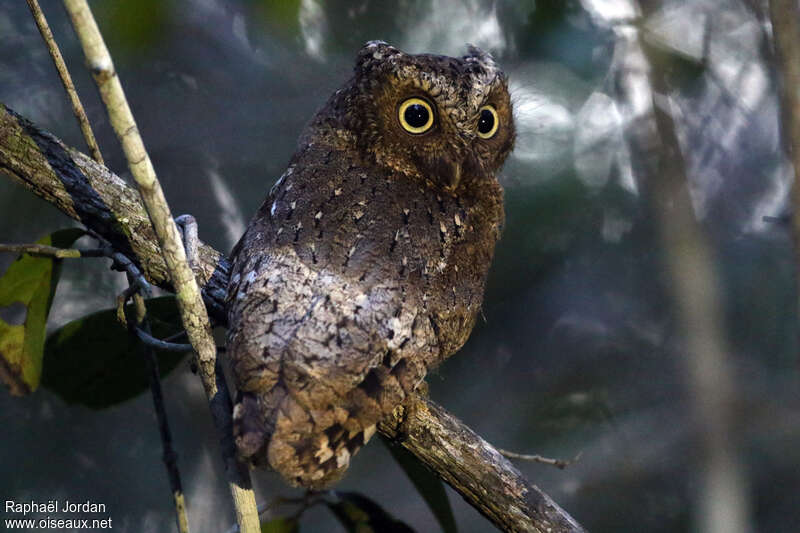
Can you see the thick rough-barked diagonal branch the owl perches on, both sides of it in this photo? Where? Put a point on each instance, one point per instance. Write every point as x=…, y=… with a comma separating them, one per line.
x=89, y=193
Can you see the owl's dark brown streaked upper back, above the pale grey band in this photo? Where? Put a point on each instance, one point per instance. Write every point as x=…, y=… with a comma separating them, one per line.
x=429, y=250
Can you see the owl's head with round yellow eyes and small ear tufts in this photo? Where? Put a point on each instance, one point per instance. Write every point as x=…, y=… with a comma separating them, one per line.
x=446, y=121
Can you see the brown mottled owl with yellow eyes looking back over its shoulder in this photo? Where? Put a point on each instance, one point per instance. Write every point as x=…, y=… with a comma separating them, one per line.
x=366, y=264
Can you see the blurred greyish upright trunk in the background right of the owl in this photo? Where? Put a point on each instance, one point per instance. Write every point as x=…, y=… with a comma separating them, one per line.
x=644, y=94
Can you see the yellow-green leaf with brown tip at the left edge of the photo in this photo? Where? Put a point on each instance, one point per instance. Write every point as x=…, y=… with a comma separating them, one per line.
x=30, y=281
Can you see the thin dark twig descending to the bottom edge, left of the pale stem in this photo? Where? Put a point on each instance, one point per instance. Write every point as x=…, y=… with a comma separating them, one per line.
x=142, y=324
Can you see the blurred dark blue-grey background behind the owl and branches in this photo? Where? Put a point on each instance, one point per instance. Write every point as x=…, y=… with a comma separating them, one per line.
x=579, y=351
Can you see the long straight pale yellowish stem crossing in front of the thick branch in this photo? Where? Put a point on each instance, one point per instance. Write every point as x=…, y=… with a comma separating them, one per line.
x=190, y=303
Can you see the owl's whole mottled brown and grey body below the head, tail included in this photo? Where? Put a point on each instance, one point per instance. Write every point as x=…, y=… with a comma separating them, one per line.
x=349, y=283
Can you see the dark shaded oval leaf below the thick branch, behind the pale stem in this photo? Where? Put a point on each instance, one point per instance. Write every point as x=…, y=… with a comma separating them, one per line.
x=95, y=362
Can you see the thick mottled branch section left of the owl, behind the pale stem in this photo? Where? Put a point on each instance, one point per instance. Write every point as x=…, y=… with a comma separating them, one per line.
x=100, y=200
